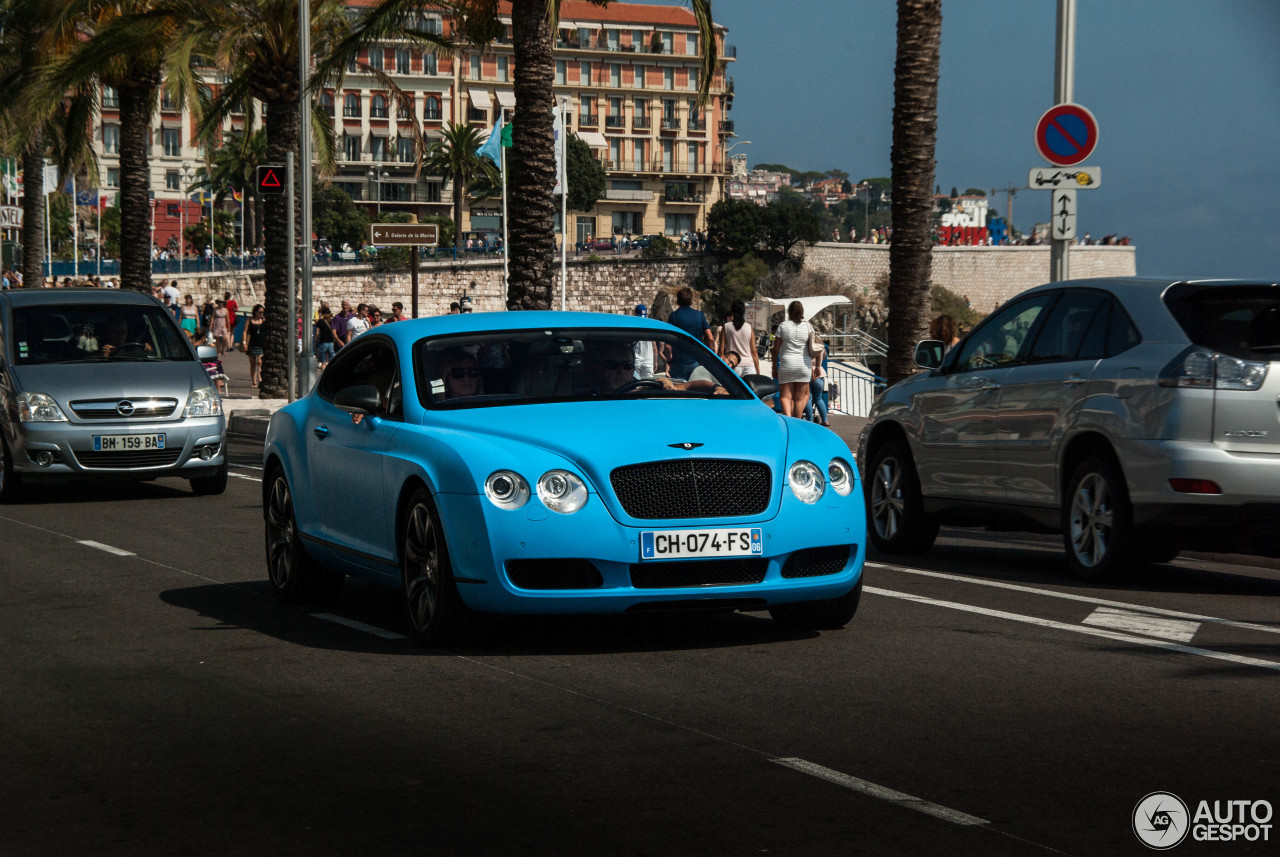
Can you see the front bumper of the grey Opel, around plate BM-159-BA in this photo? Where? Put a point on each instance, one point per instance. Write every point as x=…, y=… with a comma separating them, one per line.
x=70, y=448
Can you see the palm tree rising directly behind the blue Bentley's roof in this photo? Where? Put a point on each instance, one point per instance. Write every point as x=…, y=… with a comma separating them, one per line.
x=532, y=162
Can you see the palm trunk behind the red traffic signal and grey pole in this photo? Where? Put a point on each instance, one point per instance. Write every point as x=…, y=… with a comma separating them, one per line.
x=282, y=138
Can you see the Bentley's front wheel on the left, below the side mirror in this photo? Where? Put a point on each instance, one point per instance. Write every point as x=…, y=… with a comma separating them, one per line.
x=436, y=612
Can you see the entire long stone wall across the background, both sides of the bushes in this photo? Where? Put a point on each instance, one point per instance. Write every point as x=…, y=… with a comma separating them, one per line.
x=986, y=276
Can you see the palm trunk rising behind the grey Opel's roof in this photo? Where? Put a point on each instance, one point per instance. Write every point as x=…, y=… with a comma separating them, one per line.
x=136, y=102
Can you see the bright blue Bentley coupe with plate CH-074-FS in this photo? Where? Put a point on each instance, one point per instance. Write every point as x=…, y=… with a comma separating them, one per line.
x=534, y=462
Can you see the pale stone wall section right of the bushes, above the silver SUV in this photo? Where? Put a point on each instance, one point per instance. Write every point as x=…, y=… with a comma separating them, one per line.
x=986, y=276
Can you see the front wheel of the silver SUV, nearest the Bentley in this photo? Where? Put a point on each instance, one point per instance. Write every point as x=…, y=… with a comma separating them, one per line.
x=895, y=508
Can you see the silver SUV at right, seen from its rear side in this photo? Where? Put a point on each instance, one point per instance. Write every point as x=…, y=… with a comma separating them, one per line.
x=1137, y=418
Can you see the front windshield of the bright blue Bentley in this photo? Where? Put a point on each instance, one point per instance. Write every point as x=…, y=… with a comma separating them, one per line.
x=569, y=365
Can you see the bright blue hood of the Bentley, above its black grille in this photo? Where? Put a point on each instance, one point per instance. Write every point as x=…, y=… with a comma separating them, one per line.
x=600, y=437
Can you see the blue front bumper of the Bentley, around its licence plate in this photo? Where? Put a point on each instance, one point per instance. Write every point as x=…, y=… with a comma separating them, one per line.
x=492, y=551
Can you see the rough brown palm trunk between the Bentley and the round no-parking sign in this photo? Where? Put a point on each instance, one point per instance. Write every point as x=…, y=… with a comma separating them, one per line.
x=916, y=126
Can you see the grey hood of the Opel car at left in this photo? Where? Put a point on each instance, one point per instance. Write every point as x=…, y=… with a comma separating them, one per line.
x=112, y=381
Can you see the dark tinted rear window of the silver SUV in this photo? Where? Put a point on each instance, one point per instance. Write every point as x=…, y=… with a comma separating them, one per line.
x=1238, y=320
